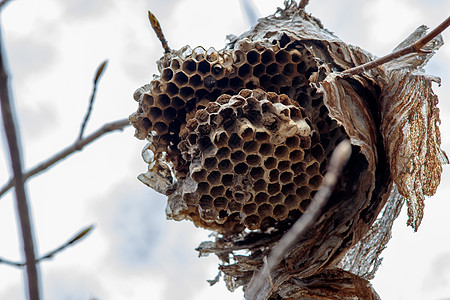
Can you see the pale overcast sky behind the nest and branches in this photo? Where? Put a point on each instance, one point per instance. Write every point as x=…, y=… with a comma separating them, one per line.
x=55, y=46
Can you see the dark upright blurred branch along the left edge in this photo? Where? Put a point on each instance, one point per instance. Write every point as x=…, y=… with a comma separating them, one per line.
x=18, y=179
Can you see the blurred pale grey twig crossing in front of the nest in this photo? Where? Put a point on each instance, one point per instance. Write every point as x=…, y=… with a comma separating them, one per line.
x=338, y=160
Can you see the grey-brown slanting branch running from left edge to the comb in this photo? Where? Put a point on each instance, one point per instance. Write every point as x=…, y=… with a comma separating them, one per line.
x=77, y=146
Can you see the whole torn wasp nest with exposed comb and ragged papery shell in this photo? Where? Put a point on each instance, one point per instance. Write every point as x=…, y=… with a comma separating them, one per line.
x=239, y=141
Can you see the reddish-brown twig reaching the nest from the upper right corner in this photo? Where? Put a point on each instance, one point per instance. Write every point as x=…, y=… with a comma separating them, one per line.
x=415, y=47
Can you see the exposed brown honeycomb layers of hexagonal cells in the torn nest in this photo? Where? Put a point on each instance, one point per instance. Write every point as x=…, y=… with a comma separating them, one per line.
x=225, y=123
